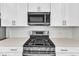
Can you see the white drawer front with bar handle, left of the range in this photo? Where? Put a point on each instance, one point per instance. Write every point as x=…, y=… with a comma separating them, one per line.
x=12, y=49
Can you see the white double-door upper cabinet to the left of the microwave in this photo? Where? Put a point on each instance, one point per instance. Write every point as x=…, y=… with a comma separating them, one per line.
x=13, y=14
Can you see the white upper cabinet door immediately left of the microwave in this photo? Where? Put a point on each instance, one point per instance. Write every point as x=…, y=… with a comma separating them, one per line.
x=21, y=14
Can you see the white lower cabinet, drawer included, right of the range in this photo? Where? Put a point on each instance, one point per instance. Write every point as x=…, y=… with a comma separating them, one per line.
x=67, y=51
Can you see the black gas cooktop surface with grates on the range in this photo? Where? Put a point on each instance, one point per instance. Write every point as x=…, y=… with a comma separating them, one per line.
x=39, y=41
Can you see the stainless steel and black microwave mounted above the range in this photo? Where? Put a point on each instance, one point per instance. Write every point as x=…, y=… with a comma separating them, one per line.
x=39, y=18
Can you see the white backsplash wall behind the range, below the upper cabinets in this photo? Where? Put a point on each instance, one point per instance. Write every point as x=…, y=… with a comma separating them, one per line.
x=55, y=32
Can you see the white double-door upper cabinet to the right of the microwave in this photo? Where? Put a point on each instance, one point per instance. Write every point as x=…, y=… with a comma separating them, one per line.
x=65, y=14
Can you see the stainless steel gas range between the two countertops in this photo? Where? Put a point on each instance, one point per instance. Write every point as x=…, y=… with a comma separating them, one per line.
x=39, y=44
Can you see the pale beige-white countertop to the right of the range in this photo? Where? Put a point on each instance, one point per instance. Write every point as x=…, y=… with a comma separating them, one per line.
x=65, y=42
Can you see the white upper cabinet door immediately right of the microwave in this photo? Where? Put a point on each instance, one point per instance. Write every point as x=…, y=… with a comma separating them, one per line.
x=58, y=14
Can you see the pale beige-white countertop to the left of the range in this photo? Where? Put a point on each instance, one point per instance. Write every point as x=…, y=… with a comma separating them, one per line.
x=14, y=42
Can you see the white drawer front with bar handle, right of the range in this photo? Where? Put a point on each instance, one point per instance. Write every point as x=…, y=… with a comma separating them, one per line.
x=67, y=49
